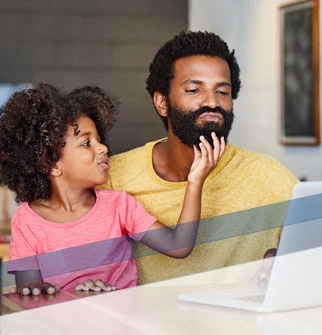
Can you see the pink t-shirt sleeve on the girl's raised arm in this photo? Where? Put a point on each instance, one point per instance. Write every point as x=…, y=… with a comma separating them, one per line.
x=137, y=220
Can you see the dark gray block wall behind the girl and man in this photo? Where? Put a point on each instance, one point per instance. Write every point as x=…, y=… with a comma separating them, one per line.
x=109, y=43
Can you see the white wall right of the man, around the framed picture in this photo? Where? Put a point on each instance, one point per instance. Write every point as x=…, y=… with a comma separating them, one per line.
x=251, y=28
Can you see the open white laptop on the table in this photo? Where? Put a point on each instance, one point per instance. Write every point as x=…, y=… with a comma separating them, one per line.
x=296, y=275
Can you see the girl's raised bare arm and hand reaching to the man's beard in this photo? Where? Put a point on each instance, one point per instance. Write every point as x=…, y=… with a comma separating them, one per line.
x=180, y=241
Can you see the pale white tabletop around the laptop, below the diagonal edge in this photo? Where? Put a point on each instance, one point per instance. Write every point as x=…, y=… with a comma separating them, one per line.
x=155, y=309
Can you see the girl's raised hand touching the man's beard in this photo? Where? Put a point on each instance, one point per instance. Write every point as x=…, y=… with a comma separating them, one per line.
x=206, y=159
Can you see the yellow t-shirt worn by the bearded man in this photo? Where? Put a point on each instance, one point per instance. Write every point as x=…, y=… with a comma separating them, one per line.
x=239, y=222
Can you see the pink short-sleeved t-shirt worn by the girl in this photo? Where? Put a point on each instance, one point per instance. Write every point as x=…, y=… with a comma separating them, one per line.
x=96, y=246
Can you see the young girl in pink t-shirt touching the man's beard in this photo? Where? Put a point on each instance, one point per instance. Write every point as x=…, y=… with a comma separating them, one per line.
x=52, y=154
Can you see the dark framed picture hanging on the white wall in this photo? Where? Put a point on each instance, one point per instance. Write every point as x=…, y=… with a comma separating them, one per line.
x=300, y=121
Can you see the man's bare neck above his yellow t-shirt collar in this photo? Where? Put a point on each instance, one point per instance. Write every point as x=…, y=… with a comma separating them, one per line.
x=172, y=159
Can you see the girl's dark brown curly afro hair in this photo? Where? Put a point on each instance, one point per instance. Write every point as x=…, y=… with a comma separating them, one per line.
x=33, y=125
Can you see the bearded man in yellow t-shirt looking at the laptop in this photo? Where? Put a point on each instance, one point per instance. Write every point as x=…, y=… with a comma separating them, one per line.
x=193, y=80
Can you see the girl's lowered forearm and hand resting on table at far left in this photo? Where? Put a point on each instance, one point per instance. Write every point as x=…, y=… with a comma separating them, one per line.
x=31, y=283
